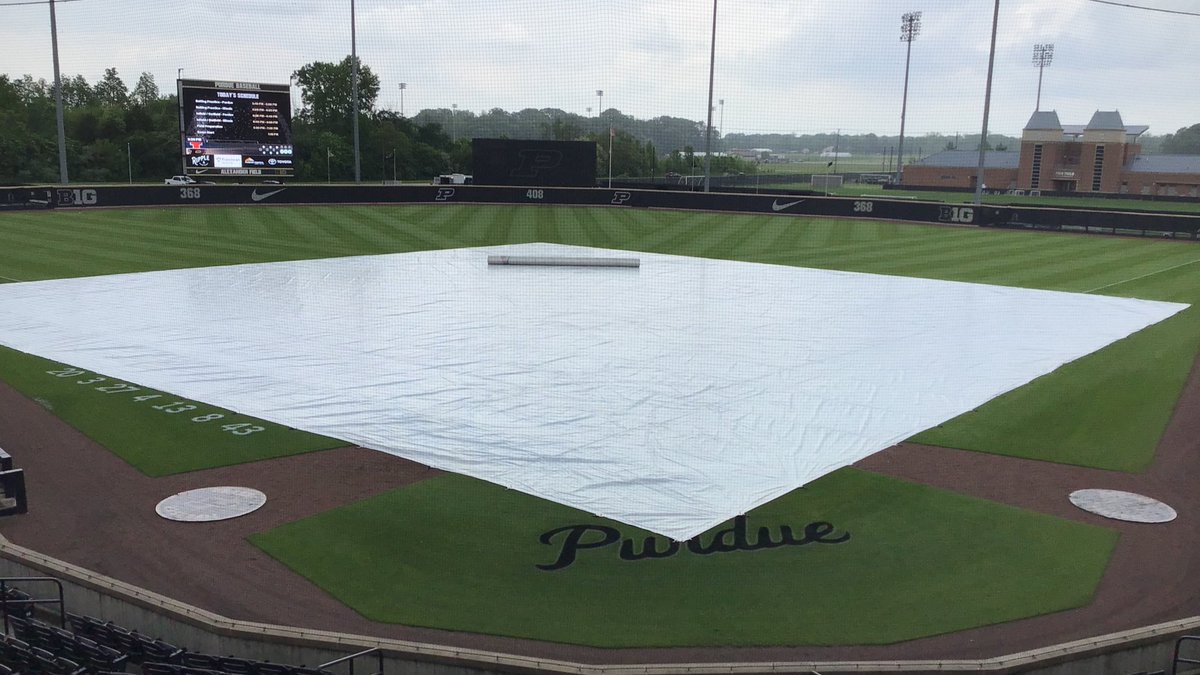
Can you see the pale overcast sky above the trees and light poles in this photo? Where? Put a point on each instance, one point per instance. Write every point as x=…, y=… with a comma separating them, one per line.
x=782, y=65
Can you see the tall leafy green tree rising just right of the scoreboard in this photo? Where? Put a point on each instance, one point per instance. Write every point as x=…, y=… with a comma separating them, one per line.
x=326, y=92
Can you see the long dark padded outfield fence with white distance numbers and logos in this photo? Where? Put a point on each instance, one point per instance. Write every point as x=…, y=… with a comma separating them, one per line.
x=796, y=204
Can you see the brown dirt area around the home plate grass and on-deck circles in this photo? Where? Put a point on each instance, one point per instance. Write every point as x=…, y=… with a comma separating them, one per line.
x=91, y=509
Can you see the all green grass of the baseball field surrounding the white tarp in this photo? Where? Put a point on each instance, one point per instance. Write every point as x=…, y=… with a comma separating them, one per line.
x=857, y=558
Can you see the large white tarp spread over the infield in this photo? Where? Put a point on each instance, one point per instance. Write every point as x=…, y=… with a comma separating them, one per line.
x=673, y=397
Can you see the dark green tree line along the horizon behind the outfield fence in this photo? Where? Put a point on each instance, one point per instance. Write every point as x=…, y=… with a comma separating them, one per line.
x=117, y=134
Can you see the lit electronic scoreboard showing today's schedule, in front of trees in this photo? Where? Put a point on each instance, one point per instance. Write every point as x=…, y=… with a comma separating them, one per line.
x=231, y=129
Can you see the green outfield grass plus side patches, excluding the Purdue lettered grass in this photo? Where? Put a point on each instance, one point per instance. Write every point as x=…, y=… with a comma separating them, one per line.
x=1107, y=410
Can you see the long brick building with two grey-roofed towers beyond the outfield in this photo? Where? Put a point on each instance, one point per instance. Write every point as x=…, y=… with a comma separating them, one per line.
x=1105, y=156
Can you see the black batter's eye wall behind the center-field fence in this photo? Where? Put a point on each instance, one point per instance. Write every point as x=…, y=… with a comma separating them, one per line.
x=550, y=164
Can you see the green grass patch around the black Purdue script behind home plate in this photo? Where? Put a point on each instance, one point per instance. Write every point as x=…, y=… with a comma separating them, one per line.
x=460, y=554
